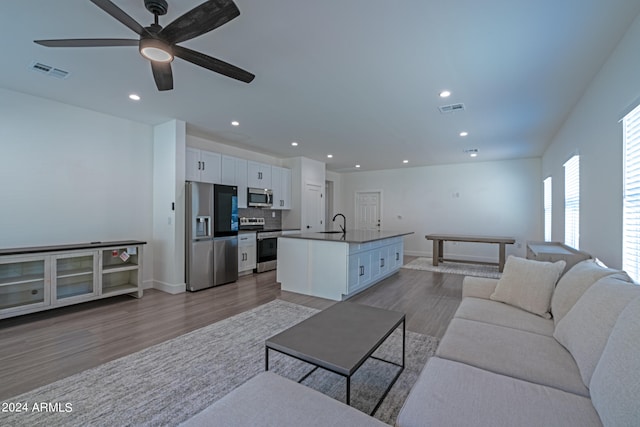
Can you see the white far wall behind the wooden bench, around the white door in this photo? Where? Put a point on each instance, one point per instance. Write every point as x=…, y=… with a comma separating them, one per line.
x=502, y=198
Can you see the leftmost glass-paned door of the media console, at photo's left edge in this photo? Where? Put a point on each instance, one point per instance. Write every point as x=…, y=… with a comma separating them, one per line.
x=23, y=283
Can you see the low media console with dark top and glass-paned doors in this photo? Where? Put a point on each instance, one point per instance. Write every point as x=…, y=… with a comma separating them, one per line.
x=45, y=277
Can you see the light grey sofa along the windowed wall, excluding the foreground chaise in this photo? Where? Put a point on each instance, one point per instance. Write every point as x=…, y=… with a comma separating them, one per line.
x=501, y=365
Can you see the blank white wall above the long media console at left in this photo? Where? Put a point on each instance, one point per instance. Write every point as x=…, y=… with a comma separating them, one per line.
x=69, y=175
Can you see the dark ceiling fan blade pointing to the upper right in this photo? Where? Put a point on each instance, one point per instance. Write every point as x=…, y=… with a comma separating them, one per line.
x=199, y=20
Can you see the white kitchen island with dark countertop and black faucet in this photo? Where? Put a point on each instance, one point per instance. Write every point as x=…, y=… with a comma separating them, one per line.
x=336, y=265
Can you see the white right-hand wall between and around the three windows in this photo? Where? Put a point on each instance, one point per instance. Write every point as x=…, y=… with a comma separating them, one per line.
x=593, y=131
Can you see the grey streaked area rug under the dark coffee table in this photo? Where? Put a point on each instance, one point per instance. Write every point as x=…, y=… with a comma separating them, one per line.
x=172, y=381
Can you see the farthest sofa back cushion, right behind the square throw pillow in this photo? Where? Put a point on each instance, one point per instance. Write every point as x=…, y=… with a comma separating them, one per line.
x=574, y=283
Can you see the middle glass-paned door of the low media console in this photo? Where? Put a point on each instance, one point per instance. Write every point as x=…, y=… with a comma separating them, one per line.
x=74, y=276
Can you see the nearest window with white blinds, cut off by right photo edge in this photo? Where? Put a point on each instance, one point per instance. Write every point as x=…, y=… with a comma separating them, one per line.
x=631, y=196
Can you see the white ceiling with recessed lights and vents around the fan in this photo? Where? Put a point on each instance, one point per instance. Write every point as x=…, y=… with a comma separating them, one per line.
x=358, y=79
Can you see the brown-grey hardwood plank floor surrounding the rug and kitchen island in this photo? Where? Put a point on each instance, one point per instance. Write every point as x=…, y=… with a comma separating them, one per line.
x=40, y=348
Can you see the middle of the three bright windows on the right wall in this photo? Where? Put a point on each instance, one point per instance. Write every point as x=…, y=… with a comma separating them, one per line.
x=572, y=202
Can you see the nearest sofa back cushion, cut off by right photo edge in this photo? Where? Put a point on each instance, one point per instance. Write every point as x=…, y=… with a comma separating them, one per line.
x=615, y=384
